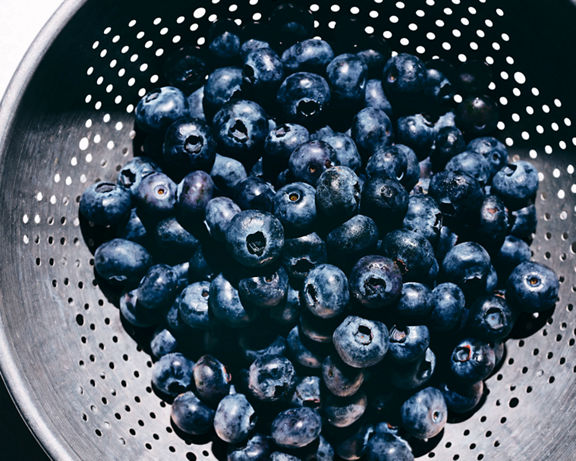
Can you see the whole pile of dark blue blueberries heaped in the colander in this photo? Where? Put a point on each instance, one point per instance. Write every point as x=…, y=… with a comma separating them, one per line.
x=324, y=251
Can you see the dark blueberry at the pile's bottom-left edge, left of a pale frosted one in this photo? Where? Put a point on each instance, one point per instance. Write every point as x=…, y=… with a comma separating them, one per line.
x=191, y=415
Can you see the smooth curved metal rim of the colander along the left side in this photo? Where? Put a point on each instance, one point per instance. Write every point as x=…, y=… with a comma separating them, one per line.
x=11, y=375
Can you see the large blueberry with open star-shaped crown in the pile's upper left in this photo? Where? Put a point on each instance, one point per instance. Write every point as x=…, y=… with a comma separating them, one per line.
x=241, y=127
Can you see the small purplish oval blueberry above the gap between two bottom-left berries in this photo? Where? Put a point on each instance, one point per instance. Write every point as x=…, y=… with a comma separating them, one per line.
x=211, y=379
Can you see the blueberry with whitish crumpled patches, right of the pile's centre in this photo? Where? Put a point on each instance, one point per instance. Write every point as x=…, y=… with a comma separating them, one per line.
x=424, y=217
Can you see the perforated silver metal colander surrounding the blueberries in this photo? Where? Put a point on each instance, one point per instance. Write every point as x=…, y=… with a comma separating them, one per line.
x=81, y=382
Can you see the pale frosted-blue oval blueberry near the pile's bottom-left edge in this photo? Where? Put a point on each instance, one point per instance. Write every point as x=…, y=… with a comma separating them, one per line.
x=234, y=419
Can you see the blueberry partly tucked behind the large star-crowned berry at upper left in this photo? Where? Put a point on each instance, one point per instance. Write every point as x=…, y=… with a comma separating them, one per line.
x=223, y=84
